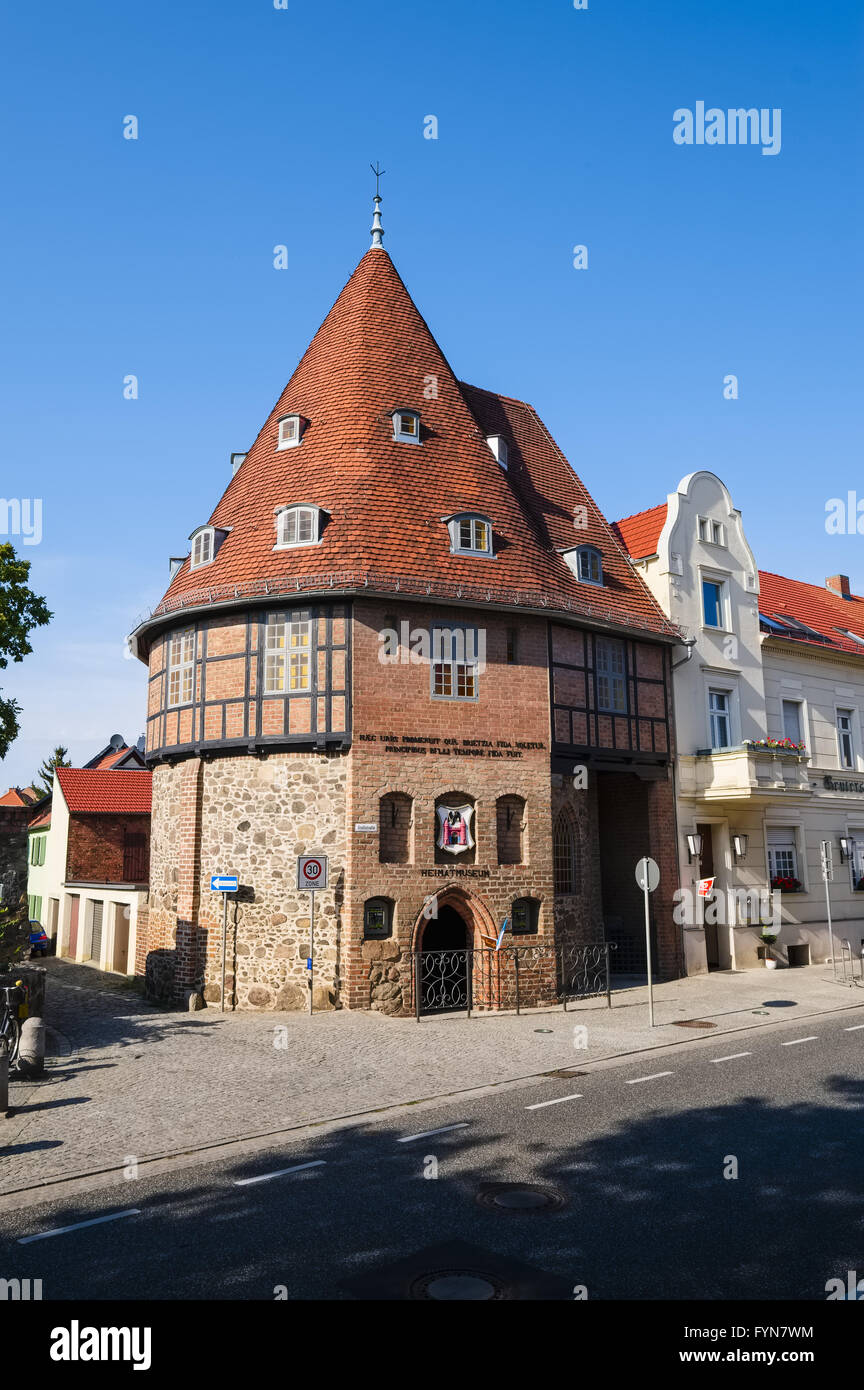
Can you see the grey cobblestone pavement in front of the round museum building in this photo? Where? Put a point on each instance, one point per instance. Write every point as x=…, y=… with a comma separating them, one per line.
x=128, y=1081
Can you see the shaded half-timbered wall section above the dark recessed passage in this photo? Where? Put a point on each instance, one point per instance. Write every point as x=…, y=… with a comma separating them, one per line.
x=609, y=693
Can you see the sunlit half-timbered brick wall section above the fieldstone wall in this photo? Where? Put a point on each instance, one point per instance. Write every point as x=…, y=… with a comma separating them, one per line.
x=251, y=680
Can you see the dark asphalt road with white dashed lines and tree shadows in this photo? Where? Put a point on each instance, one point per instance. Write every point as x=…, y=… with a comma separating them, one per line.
x=638, y=1157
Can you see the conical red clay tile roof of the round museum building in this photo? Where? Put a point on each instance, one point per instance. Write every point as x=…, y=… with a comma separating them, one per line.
x=385, y=501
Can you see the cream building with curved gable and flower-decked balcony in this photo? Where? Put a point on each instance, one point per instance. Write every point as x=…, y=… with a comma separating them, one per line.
x=773, y=661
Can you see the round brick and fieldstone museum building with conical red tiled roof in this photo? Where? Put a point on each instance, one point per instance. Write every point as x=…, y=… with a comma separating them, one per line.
x=405, y=639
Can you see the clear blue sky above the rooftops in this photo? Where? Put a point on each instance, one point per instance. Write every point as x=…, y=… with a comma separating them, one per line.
x=256, y=129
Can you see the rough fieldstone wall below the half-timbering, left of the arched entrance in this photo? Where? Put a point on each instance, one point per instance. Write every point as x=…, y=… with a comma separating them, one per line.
x=248, y=817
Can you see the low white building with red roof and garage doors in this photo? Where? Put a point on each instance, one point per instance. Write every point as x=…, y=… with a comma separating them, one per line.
x=90, y=865
